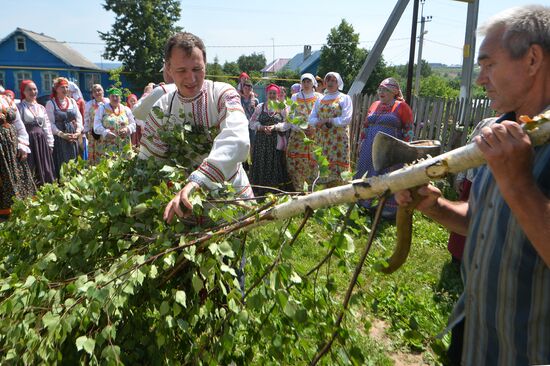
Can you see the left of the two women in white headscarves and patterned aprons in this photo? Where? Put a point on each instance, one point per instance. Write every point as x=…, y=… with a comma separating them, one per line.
x=301, y=164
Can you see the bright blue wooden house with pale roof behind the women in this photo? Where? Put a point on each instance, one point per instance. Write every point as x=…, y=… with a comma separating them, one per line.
x=28, y=55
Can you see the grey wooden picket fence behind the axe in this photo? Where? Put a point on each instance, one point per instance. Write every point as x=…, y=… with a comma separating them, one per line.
x=446, y=120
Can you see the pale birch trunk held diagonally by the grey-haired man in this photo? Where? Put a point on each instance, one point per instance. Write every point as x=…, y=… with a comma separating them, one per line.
x=454, y=161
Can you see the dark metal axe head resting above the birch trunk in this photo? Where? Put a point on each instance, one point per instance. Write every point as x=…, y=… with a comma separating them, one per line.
x=388, y=151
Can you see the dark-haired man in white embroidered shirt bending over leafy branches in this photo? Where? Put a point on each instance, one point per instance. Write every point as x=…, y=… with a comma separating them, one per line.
x=212, y=106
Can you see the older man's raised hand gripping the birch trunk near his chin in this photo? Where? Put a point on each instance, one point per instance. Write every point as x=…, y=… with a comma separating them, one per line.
x=508, y=152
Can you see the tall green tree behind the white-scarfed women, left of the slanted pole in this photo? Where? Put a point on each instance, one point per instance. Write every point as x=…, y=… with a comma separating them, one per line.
x=342, y=54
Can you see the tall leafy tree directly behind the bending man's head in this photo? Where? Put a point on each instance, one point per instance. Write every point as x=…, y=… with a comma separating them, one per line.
x=138, y=35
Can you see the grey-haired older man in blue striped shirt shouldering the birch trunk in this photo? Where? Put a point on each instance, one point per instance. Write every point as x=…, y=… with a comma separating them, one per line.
x=505, y=307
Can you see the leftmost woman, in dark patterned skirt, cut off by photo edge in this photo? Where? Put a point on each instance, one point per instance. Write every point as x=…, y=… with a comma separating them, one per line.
x=15, y=176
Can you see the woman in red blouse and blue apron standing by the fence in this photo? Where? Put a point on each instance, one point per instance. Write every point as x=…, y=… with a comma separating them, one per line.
x=392, y=115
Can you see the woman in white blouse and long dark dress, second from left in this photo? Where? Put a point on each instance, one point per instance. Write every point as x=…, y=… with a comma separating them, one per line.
x=38, y=127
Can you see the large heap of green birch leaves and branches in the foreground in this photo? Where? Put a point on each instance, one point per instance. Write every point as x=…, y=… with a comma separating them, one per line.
x=91, y=274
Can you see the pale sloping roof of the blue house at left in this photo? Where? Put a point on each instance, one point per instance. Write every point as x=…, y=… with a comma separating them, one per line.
x=57, y=48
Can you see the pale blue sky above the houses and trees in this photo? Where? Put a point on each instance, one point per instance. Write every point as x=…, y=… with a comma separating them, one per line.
x=277, y=29
